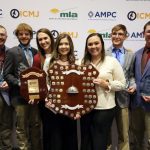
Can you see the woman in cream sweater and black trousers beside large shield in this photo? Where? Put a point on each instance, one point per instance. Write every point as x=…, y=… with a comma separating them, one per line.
x=111, y=78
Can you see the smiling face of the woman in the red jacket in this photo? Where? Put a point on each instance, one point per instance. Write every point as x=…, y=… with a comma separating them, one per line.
x=44, y=41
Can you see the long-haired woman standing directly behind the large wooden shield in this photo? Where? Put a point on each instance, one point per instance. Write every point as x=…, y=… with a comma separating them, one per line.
x=63, y=134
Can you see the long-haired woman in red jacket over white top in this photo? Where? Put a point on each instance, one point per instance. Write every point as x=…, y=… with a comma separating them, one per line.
x=45, y=43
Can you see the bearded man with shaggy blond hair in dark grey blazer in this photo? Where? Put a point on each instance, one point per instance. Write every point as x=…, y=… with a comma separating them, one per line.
x=18, y=58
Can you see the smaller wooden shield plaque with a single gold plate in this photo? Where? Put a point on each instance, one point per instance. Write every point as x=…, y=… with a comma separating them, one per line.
x=33, y=84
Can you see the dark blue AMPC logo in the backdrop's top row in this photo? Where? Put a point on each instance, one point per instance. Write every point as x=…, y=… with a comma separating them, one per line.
x=102, y=15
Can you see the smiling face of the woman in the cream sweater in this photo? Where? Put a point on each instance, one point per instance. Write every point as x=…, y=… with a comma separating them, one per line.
x=94, y=46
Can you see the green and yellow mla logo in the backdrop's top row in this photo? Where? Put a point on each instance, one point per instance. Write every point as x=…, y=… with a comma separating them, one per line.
x=65, y=13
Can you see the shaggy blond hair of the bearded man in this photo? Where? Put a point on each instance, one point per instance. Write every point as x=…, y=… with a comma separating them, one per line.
x=24, y=26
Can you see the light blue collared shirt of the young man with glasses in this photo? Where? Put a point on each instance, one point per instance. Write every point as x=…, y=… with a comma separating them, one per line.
x=120, y=54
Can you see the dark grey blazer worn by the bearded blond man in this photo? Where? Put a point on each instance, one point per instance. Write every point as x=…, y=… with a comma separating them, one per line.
x=15, y=57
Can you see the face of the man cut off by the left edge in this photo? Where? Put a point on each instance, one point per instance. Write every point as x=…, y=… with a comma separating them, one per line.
x=3, y=37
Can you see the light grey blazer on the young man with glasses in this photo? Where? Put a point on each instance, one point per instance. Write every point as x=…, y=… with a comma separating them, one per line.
x=122, y=97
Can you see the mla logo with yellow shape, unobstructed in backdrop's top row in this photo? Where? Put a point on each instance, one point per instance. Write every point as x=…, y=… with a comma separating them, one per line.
x=63, y=14
